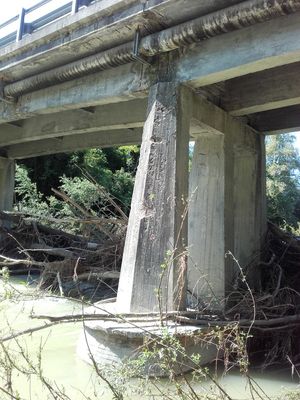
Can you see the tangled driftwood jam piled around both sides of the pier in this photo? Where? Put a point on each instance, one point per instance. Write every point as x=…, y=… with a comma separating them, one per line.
x=65, y=258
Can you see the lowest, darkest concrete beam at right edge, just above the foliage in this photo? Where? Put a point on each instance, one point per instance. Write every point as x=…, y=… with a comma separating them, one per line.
x=279, y=121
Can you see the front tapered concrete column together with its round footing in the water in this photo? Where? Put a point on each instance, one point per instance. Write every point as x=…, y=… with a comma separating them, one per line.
x=154, y=268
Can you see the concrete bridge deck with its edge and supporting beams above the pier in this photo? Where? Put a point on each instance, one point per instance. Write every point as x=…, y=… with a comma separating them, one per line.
x=250, y=73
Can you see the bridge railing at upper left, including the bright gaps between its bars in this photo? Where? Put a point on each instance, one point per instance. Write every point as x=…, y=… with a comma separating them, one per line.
x=39, y=15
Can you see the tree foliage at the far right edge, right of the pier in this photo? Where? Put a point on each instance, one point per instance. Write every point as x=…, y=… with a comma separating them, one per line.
x=283, y=181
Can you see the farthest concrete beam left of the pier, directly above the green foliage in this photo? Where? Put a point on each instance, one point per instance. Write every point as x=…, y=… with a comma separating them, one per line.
x=121, y=137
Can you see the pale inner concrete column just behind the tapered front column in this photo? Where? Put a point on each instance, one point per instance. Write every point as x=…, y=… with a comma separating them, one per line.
x=206, y=272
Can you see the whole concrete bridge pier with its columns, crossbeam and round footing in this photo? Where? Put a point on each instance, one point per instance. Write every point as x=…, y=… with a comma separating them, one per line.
x=164, y=254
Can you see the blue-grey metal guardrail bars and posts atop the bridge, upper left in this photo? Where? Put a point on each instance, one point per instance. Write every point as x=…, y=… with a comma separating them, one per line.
x=23, y=28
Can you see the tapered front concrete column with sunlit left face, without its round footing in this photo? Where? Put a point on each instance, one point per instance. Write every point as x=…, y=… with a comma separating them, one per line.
x=153, y=273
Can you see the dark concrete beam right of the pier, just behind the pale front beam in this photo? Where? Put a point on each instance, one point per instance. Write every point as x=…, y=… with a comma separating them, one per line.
x=266, y=90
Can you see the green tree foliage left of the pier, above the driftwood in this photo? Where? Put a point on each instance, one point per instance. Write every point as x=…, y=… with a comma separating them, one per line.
x=112, y=168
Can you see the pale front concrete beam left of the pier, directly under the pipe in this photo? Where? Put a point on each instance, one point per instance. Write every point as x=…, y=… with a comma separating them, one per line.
x=123, y=83
